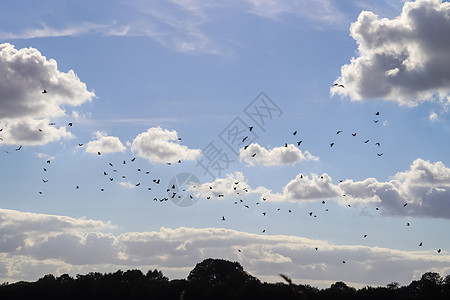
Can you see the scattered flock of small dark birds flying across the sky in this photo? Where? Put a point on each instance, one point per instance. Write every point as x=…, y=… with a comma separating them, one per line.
x=111, y=173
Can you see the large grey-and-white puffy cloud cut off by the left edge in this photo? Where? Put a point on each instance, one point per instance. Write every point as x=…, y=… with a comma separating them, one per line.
x=24, y=109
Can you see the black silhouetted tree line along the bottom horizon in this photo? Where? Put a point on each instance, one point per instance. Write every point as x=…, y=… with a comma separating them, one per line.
x=211, y=279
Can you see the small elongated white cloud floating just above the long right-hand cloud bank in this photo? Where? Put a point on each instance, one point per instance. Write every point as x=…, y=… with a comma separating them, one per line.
x=290, y=155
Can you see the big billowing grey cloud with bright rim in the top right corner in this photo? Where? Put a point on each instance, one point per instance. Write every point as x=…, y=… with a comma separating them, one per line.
x=402, y=59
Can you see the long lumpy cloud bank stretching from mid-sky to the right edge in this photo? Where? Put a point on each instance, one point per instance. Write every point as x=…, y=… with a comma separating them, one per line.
x=424, y=188
